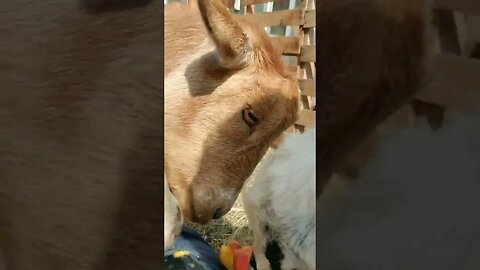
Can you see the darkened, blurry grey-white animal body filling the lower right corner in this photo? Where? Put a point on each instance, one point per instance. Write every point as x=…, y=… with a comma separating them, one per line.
x=416, y=205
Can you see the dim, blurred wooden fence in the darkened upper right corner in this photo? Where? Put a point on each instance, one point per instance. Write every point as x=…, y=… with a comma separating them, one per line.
x=455, y=76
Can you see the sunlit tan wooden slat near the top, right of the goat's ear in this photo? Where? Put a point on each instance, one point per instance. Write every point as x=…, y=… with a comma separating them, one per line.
x=277, y=18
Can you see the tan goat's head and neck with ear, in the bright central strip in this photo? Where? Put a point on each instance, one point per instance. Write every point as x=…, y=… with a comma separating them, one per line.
x=227, y=98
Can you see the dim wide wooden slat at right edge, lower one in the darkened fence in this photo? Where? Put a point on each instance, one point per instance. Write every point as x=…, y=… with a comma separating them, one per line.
x=455, y=83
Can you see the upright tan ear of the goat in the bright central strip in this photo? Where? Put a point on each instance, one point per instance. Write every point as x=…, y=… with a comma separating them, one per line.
x=229, y=38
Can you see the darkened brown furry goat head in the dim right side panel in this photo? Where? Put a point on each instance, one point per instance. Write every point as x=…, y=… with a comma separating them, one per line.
x=372, y=54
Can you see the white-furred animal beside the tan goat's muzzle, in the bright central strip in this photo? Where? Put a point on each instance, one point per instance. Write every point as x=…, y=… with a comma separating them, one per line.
x=279, y=201
